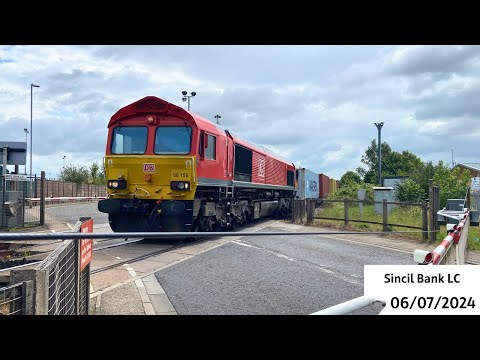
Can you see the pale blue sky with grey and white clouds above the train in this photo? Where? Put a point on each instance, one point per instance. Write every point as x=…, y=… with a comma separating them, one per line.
x=314, y=105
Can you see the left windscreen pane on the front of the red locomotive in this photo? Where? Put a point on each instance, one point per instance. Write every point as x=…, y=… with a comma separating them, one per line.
x=129, y=140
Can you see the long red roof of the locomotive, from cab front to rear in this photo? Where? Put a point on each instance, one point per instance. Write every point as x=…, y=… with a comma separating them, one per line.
x=151, y=105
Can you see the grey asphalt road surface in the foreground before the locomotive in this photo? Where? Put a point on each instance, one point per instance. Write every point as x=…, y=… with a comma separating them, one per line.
x=274, y=275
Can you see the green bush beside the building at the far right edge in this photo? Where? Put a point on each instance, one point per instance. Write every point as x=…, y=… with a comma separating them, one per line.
x=453, y=184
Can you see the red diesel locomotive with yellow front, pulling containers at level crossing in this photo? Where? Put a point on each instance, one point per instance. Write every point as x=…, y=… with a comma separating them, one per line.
x=169, y=169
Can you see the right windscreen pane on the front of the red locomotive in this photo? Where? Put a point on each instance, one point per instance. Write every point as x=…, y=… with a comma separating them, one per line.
x=173, y=139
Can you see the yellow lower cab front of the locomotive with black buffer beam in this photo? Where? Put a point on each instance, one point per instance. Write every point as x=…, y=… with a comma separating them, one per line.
x=150, y=193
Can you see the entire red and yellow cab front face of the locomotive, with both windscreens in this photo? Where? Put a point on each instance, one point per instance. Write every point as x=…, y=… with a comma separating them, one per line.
x=150, y=168
